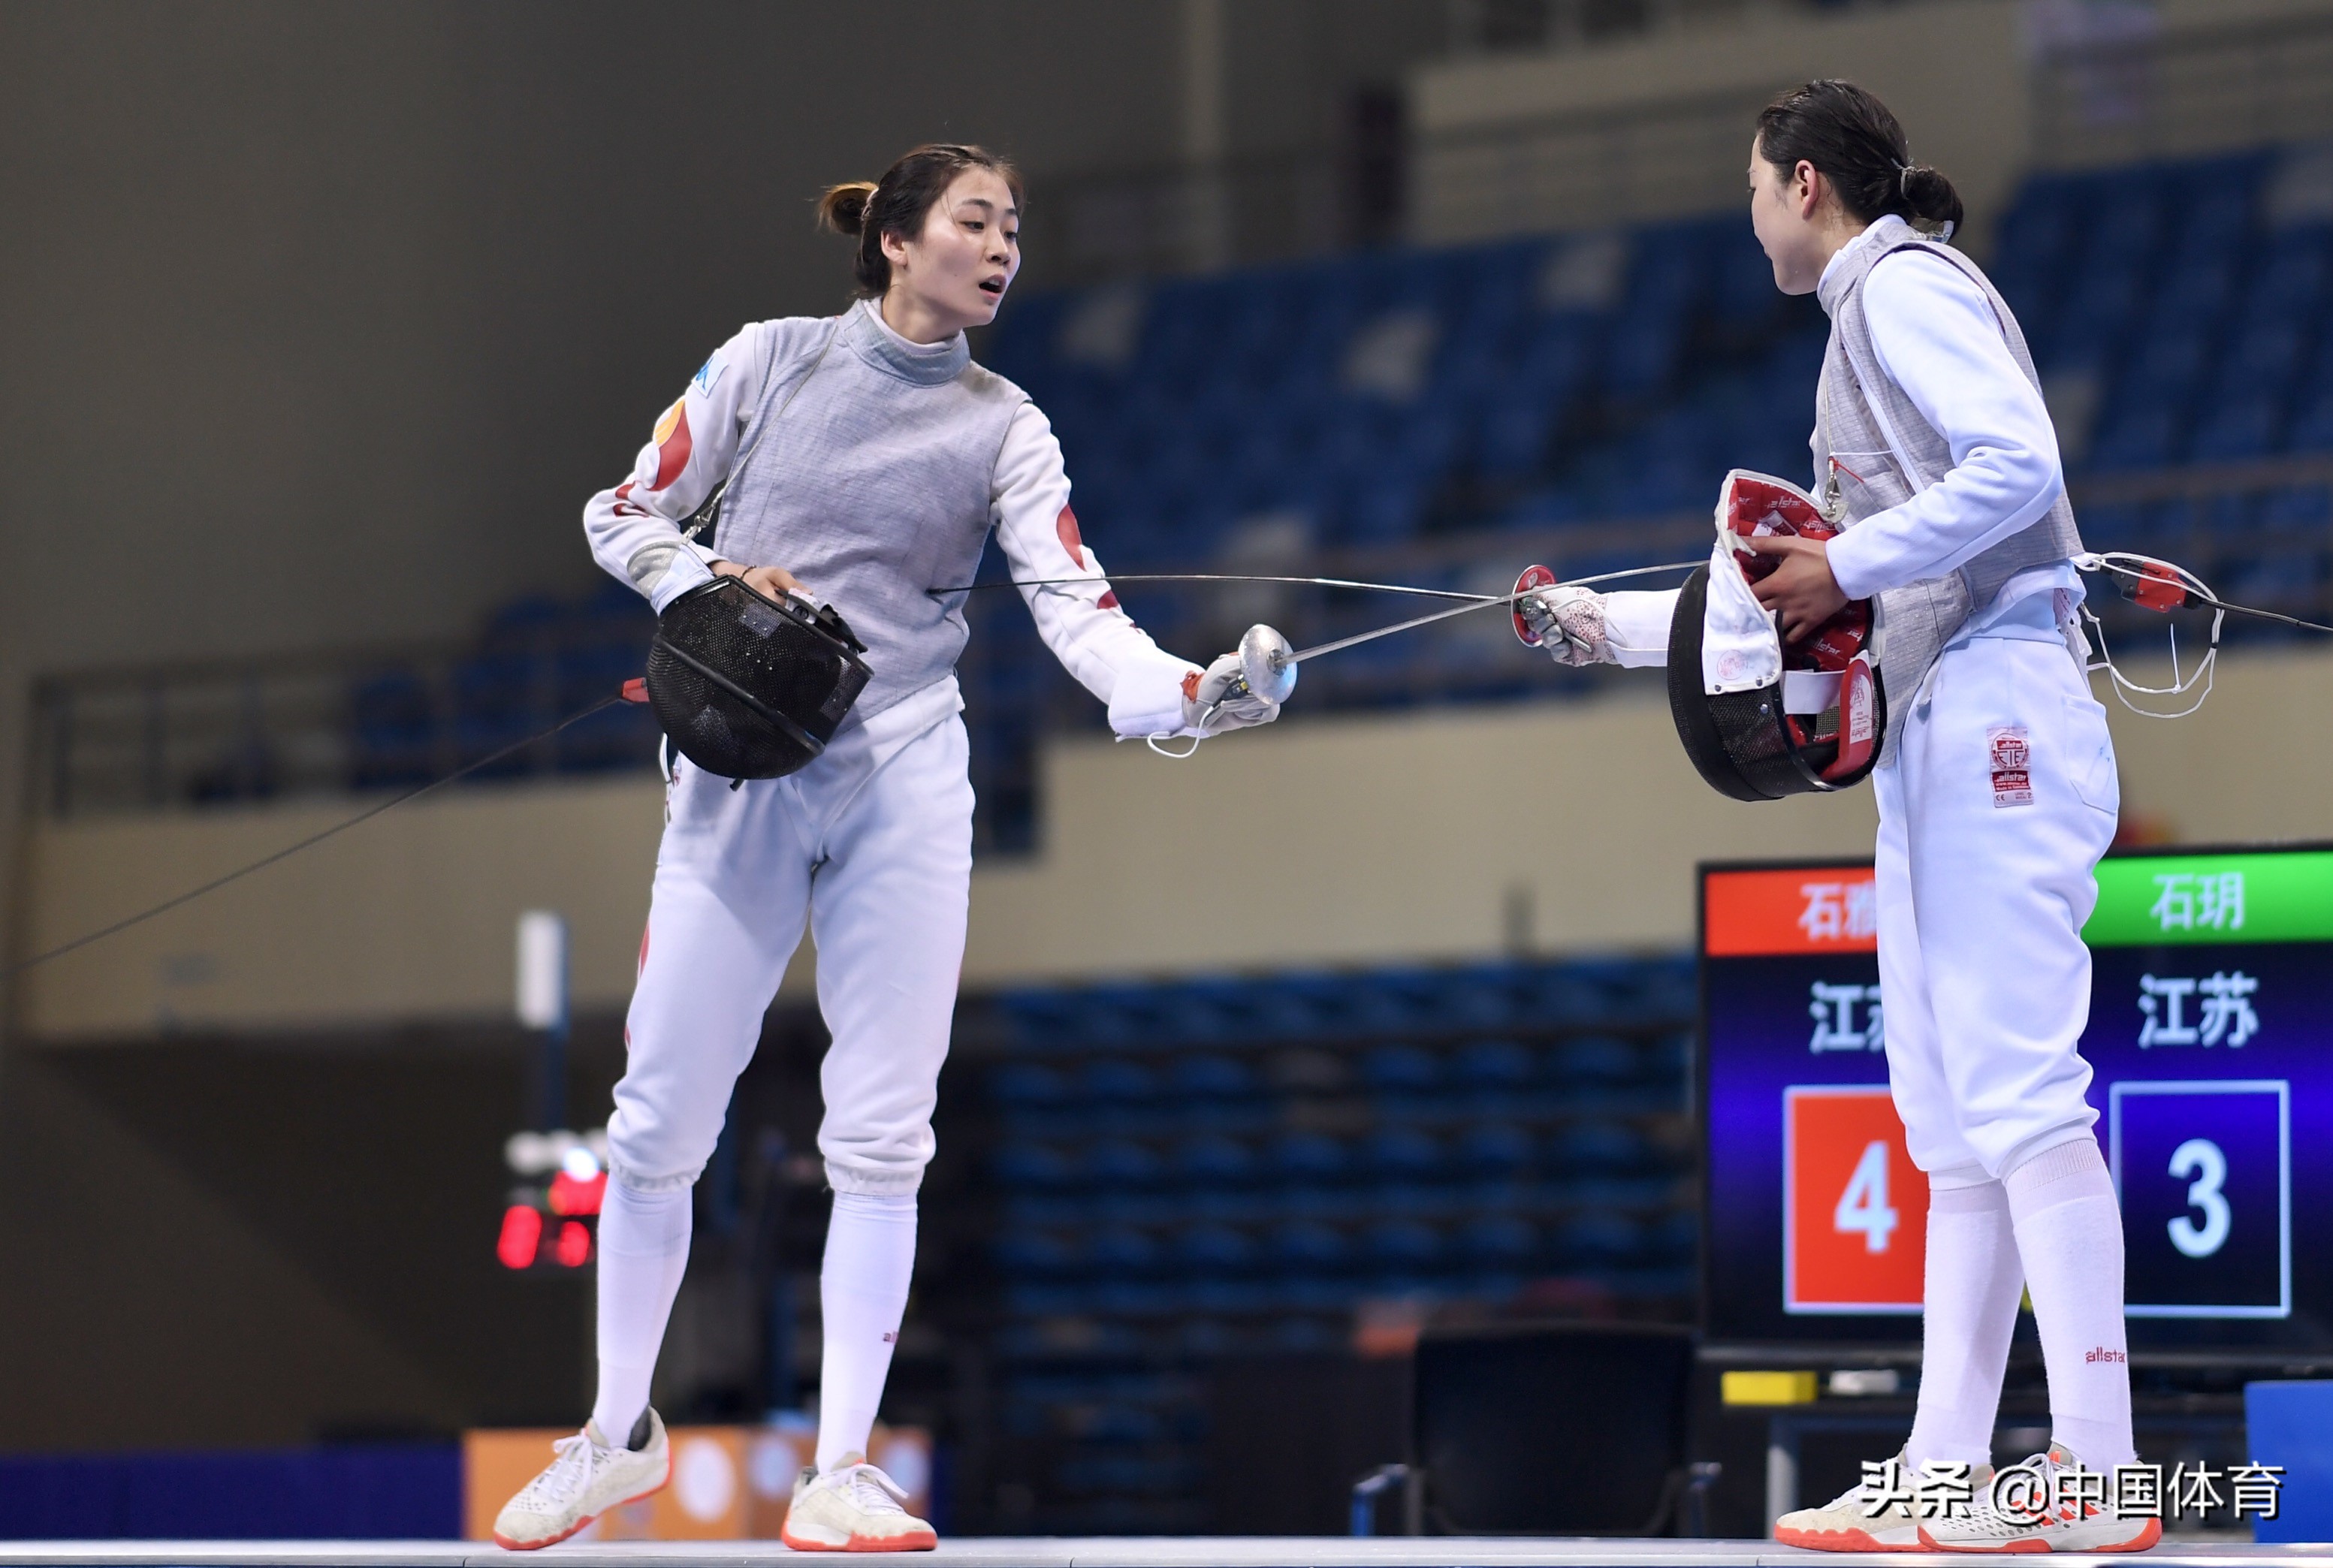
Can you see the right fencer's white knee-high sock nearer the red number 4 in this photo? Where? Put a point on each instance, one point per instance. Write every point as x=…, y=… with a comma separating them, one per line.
x=1968, y=1317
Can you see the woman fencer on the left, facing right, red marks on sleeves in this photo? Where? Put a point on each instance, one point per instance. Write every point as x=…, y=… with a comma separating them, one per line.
x=867, y=461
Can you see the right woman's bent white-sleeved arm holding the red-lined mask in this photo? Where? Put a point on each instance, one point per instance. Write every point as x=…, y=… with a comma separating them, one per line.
x=1938, y=337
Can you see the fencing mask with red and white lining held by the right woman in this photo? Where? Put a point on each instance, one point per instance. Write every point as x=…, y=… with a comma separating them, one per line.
x=1763, y=720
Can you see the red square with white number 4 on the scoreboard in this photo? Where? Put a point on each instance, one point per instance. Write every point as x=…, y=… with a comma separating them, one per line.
x=1854, y=1203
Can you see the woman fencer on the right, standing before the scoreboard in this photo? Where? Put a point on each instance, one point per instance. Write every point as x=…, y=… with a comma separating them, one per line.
x=1996, y=797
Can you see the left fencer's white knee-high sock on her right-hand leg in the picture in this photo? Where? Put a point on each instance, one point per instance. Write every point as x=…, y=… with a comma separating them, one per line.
x=862, y=1301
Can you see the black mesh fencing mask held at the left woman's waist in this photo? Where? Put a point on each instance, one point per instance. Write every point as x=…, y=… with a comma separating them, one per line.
x=752, y=687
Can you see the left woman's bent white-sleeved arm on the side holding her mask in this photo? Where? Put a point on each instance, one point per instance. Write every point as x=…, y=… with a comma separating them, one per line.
x=636, y=528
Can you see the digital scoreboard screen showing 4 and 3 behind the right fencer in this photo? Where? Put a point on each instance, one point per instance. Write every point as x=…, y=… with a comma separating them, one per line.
x=2213, y=1074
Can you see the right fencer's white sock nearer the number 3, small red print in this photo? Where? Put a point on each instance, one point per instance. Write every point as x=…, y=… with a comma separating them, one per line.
x=2071, y=1238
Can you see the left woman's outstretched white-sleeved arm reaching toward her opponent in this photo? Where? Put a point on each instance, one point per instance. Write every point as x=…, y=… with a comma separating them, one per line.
x=1084, y=624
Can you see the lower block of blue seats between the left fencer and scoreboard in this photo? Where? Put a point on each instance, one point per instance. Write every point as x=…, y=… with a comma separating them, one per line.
x=1233, y=1168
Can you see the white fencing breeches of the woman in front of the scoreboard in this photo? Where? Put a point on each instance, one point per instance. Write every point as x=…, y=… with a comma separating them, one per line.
x=1994, y=813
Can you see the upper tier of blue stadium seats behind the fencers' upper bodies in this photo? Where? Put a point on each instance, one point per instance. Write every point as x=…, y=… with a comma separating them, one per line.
x=1581, y=386
